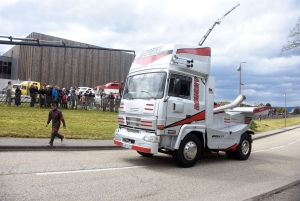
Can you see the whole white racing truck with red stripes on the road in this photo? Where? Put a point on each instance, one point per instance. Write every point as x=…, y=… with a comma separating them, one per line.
x=168, y=107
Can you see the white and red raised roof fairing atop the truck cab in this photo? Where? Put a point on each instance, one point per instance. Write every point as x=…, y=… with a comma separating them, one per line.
x=175, y=57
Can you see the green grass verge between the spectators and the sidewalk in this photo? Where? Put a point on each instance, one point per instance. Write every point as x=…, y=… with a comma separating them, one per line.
x=24, y=122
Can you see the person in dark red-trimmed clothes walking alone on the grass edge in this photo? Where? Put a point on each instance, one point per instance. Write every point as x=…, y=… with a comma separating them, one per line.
x=56, y=116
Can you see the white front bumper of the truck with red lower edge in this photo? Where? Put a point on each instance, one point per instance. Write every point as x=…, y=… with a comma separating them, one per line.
x=143, y=142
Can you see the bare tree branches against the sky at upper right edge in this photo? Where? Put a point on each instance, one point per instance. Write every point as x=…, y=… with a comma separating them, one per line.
x=293, y=40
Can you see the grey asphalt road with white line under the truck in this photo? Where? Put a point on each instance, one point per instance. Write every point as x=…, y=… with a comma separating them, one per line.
x=124, y=175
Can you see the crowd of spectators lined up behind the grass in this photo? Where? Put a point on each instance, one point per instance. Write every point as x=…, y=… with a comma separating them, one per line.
x=64, y=98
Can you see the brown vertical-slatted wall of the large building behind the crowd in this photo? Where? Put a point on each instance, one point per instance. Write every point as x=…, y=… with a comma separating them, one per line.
x=71, y=67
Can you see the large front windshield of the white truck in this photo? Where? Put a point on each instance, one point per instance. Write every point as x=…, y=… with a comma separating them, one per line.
x=148, y=85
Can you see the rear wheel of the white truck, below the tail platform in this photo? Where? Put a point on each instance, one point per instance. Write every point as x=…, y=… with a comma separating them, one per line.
x=243, y=151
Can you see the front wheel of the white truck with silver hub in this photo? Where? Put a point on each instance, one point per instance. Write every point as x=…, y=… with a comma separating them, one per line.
x=188, y=153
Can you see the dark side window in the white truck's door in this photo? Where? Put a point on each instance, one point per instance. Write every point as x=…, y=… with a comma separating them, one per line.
x=179, y=86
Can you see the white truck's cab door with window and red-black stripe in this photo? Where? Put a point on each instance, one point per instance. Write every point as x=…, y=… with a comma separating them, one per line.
x=179, y=103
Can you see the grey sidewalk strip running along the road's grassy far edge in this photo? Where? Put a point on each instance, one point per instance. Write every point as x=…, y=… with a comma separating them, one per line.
x=40, y=144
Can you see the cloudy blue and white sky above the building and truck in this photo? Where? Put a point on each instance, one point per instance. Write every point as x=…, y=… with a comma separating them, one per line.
x=254, y=33
